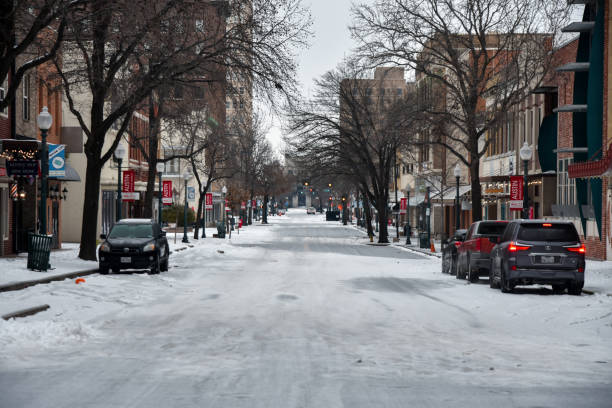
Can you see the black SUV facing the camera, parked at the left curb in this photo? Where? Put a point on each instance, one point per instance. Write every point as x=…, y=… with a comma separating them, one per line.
x=134, y=244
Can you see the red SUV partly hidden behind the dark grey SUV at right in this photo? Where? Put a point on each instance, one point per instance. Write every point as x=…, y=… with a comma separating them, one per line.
x=474, y=254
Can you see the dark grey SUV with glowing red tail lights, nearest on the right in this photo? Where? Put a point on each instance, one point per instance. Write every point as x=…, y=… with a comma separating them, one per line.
x=538, y=252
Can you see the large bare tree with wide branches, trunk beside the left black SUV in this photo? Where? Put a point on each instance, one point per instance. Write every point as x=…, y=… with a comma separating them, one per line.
x=118, y=52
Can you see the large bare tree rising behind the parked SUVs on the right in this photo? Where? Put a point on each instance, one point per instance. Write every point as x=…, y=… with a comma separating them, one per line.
x=473, y=61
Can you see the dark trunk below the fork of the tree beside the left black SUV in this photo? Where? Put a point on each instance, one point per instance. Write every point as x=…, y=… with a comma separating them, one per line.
x=91, y=202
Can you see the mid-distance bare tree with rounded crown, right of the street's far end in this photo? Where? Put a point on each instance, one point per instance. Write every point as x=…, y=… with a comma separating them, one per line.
x=343, y=128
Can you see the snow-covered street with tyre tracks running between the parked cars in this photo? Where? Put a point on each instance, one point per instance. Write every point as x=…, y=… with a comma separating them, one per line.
x=302, y=313
